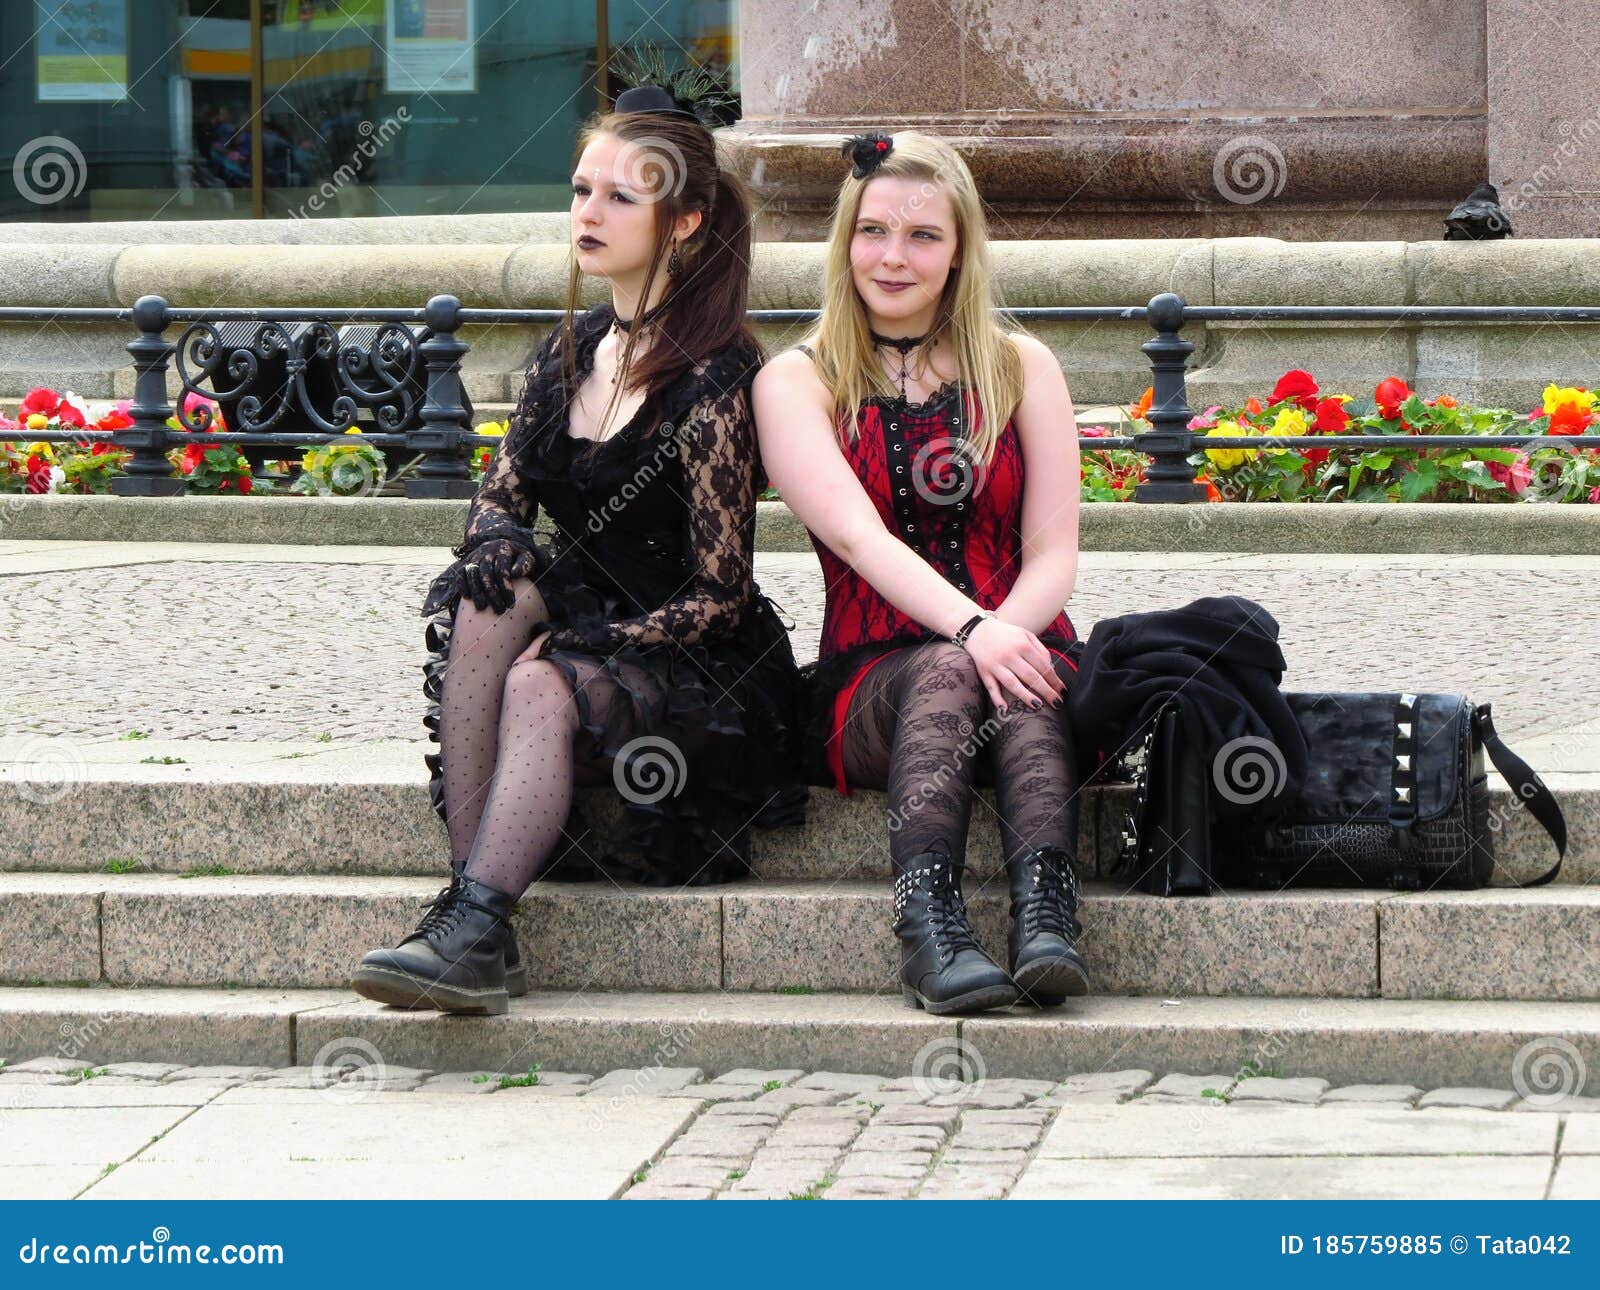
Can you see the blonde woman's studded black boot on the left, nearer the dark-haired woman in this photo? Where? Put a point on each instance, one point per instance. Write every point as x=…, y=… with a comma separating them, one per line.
x=943, y=967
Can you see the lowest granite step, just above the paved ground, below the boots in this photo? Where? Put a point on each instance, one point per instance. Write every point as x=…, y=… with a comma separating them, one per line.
x=1489, y=1044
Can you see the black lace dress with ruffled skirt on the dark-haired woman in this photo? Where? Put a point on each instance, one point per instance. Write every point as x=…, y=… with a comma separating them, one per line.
x=652, y=572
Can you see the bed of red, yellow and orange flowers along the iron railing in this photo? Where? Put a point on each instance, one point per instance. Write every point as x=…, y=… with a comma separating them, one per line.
x=1406, y=471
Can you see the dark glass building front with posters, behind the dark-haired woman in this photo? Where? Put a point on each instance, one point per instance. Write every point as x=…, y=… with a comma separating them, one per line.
x=210, y=110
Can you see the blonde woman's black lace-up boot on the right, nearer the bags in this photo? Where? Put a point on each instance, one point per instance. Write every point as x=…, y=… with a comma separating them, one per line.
x=1042, y=943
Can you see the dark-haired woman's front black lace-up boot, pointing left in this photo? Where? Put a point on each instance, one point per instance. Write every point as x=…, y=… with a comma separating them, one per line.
x=457, y=958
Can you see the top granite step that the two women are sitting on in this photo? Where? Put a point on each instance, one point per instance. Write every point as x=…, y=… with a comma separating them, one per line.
x=369, y=814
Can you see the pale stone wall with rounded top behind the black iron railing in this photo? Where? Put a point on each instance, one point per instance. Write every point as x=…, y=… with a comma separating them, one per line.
x=1498, y=363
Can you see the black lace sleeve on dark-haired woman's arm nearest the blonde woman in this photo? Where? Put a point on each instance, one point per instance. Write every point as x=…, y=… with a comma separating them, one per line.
x=719, y=451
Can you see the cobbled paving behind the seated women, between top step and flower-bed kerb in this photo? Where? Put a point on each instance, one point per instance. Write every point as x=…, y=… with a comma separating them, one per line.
x=233, y=649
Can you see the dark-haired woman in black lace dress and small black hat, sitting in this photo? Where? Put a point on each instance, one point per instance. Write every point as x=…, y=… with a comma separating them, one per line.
x=633, y=647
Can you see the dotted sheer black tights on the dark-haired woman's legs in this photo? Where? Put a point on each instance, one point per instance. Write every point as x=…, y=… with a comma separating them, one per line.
x=508, y=743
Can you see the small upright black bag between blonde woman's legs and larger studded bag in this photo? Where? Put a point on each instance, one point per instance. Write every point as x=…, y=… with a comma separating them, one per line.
x=1167, y=836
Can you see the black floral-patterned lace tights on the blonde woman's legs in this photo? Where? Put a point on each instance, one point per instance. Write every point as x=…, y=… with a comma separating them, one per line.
x=921, y=726
